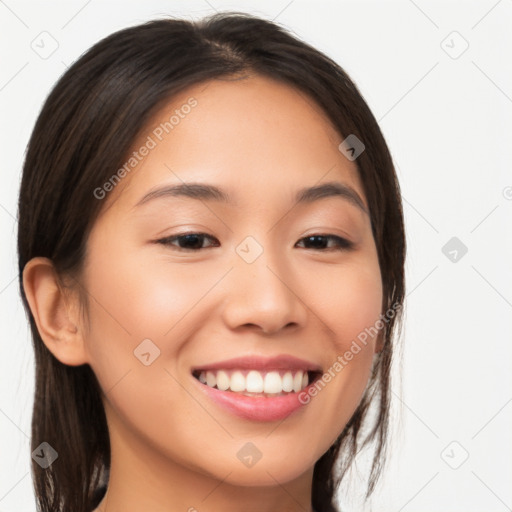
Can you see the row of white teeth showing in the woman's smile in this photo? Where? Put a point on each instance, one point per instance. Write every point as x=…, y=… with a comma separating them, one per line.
x=254, y=382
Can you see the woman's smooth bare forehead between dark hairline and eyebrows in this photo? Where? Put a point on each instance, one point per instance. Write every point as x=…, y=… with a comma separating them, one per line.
x=255, y=137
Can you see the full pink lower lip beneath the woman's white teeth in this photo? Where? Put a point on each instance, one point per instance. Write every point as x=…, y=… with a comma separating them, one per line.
x=258, y=408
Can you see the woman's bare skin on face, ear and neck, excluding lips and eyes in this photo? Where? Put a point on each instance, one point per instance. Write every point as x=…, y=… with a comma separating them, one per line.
x=172, y=447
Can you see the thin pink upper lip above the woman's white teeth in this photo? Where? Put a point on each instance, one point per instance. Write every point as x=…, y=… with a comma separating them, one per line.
x=255, y=362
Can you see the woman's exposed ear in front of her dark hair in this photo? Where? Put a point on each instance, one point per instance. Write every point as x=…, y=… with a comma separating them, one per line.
x=55, y=312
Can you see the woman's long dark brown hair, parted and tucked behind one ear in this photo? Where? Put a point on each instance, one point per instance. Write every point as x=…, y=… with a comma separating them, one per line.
x=82, y=136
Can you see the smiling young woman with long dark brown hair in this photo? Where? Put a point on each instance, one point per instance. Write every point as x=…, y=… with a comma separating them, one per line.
x=211, y=255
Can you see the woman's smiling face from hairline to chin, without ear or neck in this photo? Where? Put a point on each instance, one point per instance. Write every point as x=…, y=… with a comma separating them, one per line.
x=261, y=276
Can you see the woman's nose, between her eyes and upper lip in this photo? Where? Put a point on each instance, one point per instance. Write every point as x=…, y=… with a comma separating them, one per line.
x=265, y=296
